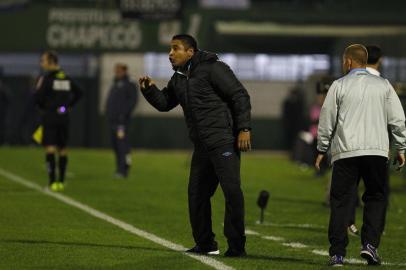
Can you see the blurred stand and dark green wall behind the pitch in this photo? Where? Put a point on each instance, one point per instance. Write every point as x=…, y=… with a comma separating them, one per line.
x=286, y=53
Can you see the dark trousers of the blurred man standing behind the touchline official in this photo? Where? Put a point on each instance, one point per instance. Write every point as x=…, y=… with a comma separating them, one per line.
x=121, y=149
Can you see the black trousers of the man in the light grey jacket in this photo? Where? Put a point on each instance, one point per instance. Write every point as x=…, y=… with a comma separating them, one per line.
x=346, y=175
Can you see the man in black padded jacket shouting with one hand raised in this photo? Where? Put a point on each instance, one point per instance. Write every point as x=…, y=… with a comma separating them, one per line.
x=218, y=114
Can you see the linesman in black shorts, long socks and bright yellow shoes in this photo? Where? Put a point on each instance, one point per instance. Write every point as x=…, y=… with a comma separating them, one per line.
x=55, y=95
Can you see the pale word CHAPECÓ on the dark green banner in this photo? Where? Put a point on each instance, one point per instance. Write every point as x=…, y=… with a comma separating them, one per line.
x=90, y=36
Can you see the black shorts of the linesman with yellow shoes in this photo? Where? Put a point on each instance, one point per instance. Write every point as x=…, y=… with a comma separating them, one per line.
x=56, y=134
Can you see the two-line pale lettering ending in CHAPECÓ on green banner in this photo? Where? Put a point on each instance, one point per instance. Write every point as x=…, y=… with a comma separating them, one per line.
x=91, y=28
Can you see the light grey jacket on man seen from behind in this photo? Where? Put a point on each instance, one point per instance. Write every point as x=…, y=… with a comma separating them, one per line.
x=358, y=112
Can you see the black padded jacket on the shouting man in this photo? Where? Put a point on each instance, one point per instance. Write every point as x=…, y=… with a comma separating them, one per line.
x=215, y=104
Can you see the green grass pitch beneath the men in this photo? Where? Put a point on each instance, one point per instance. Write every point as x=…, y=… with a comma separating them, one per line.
x=40, y=232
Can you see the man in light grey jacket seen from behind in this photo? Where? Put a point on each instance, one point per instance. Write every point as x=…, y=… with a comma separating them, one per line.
x=359, y=111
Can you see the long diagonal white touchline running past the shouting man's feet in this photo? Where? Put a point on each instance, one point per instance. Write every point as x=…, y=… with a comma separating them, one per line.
x=121, y=224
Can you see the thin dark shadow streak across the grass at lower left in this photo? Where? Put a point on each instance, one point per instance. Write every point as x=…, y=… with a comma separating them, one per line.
x=78, y=244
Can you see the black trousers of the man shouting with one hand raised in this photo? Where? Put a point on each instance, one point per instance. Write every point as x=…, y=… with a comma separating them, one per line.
x=208, y=169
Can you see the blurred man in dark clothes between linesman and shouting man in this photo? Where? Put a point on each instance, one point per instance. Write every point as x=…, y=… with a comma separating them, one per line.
x=120, y=103
